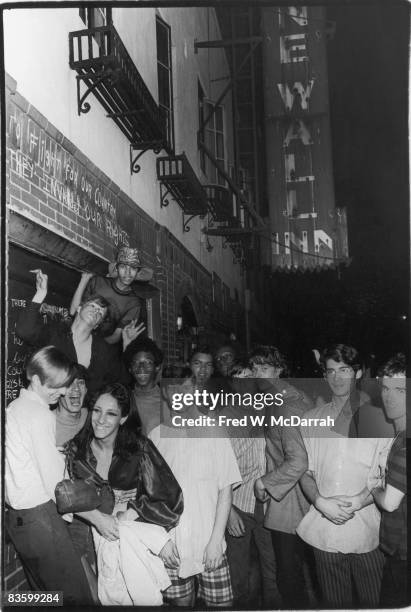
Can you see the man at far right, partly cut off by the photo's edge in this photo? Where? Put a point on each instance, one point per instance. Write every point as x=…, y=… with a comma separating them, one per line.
x=392, y=499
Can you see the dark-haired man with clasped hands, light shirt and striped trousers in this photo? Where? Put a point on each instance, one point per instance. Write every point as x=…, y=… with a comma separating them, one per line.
x=343, y=522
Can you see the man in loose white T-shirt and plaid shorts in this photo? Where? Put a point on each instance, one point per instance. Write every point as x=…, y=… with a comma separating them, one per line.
x=206, y=469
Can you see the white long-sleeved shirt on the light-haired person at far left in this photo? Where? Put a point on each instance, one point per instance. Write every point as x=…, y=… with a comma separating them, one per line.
x=33, y=465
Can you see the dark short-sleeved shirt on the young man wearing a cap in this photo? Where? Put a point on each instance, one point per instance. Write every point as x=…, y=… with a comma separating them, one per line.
x=124, y=305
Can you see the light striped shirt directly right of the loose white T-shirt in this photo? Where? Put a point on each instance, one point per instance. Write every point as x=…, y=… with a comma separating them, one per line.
x=250, y=455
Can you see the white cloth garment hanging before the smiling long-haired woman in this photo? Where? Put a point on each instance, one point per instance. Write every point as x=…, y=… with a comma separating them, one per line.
x=129, y=574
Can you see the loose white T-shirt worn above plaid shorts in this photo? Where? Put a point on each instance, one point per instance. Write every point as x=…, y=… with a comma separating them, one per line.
x=202, y=467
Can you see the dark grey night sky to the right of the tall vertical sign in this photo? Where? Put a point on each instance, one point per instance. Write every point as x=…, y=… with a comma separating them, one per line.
x=368, y=77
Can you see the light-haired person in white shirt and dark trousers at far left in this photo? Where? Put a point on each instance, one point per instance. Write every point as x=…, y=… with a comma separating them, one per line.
x=33, y=467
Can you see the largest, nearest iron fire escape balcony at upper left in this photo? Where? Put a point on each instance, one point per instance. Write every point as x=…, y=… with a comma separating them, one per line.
x=106, y=69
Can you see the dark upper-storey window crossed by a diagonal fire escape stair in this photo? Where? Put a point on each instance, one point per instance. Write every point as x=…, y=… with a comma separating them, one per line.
x=212, y=136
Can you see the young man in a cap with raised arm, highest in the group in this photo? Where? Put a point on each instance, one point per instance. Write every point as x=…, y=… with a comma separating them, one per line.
x=120, y=289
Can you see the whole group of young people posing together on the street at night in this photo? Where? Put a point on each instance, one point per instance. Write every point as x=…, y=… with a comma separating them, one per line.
x=235, y=517
